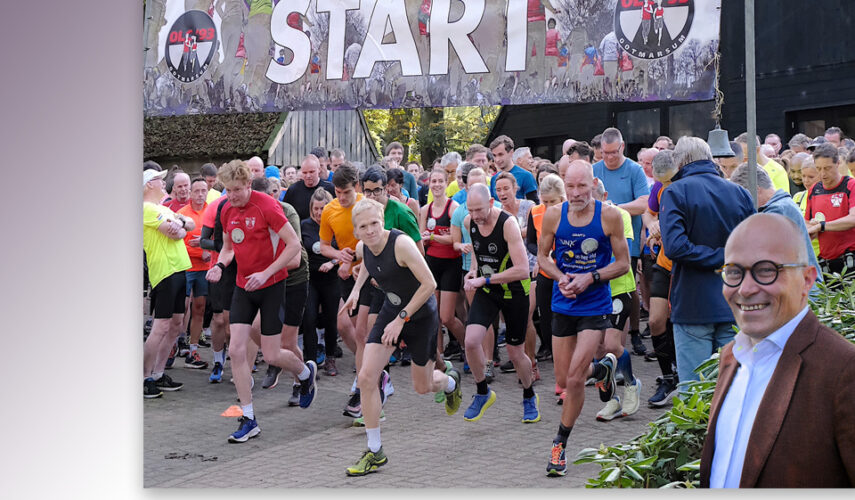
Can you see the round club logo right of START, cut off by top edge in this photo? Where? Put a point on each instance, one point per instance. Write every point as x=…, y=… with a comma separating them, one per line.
x=650, y=29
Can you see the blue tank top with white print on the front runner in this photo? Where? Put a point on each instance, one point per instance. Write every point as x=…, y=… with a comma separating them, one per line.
x=581, y=250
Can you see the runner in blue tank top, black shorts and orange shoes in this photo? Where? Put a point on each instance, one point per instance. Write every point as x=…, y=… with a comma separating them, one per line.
x=585, y=234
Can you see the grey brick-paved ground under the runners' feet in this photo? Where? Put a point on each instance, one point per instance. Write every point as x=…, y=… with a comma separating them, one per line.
x=185, y=437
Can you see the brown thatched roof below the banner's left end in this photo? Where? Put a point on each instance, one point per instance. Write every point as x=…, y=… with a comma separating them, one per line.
x=191, y=136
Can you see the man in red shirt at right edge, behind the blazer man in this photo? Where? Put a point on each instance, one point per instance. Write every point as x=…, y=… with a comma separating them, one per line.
x=830, y=212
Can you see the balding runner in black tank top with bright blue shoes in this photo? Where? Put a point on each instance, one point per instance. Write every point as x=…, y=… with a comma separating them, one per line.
x=500, y=276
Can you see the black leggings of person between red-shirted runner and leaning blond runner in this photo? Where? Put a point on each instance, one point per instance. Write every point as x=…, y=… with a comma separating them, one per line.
x=321, y=310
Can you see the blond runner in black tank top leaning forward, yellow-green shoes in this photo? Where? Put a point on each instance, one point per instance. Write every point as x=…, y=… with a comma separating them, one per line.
x=408, y=313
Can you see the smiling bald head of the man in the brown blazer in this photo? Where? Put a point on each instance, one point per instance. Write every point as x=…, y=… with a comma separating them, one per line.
x=760, y=310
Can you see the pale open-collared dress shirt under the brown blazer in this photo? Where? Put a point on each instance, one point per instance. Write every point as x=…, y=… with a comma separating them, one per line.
x=739, y=408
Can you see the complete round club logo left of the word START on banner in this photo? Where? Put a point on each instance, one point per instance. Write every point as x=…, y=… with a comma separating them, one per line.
x=191, y=45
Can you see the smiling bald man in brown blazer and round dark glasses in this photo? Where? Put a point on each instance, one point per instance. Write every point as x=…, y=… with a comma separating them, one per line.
x=783, y=411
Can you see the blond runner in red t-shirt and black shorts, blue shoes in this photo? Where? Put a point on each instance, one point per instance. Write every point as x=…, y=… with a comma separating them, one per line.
x=254, y=230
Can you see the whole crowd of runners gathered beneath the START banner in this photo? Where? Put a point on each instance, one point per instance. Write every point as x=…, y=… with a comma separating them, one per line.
x=494, y=248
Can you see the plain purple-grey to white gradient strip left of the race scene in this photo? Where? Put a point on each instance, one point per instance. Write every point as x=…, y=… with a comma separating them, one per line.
x=70, y=303
